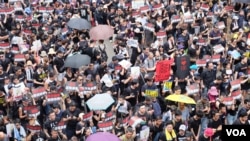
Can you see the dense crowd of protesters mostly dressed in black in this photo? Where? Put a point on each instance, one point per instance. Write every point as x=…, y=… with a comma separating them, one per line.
x=167, y=120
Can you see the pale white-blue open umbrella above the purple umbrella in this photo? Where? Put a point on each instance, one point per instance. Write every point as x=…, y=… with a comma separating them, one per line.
x=100, y=102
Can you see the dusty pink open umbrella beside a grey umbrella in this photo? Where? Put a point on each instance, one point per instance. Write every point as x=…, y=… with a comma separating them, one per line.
x=101, y=32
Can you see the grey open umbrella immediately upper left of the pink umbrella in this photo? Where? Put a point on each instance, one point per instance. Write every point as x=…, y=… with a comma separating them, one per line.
x=79, y=24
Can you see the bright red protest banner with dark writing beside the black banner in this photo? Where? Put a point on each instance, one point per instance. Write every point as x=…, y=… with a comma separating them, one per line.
x=162, y=70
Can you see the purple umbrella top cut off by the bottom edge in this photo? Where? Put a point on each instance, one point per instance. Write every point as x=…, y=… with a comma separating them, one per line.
x=103, y=136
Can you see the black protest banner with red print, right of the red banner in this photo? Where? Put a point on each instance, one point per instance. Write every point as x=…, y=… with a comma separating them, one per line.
x=182, y=63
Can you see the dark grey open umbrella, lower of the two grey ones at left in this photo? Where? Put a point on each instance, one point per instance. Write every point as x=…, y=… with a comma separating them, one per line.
x=76, y=61
